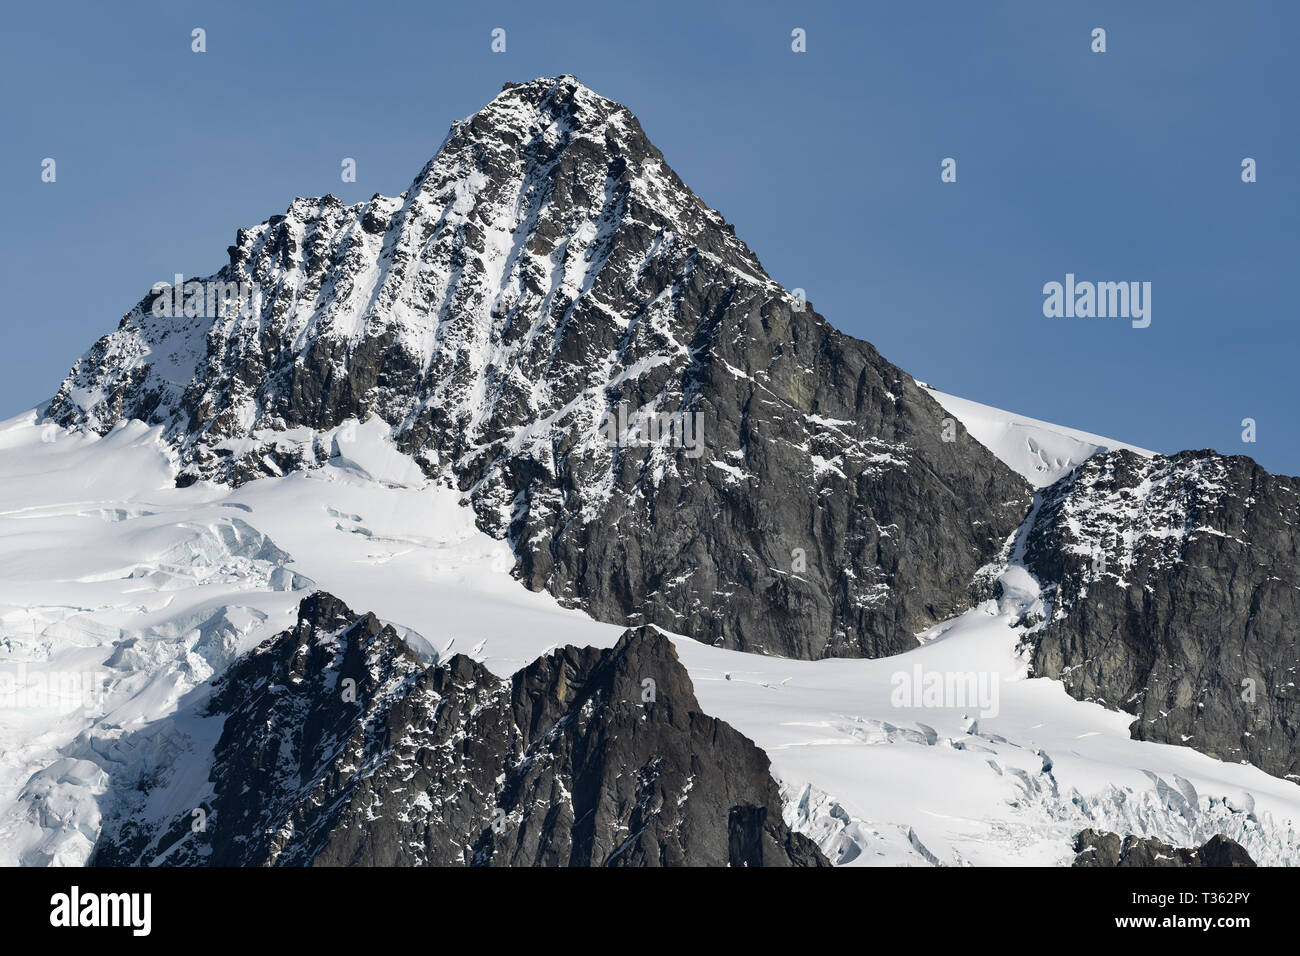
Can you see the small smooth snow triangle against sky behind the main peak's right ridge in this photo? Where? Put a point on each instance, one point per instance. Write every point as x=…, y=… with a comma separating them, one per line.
x=1037, y=451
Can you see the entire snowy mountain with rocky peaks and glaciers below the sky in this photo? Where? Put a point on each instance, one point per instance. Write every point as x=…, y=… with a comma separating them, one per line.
x=353, y=473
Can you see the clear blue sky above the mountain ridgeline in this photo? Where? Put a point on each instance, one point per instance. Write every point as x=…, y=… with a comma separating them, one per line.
x=1117, y=167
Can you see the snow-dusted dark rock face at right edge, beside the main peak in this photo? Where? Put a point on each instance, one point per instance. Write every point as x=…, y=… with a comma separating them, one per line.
x=1175, y=590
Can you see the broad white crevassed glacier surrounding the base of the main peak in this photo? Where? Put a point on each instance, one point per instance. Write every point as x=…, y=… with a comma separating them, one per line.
x=110, y=572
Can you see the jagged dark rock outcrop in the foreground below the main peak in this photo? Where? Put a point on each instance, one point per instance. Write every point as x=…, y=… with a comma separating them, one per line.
x=340, y=749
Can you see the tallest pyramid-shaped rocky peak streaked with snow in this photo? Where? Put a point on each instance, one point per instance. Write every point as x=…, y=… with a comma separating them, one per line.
x=545, y=271
